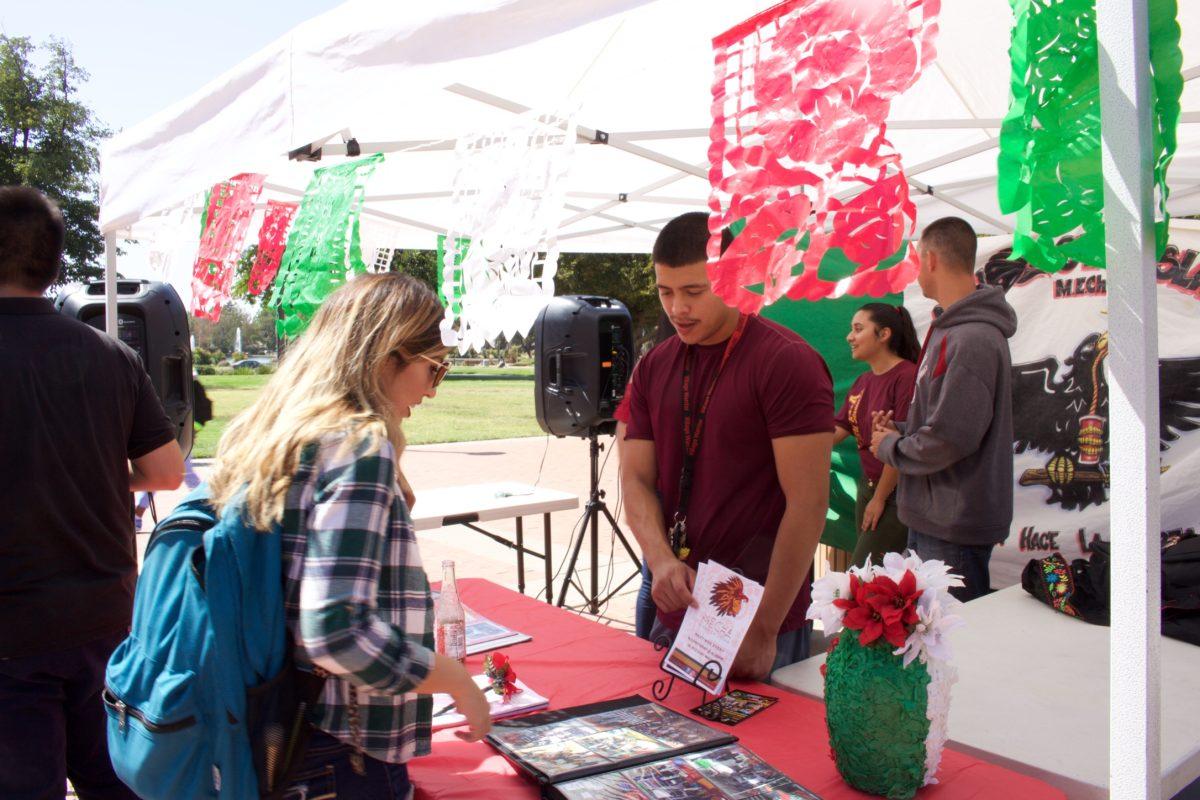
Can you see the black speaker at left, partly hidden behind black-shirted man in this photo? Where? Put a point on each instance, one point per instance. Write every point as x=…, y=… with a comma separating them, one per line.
x=153, y=321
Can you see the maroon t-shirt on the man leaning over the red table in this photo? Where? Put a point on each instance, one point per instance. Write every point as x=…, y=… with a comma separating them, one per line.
x=773, y=386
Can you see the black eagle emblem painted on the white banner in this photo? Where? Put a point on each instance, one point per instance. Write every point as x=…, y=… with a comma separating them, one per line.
x=1067, y=419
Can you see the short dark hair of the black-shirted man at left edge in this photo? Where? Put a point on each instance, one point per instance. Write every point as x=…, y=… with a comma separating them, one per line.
x=32, y=239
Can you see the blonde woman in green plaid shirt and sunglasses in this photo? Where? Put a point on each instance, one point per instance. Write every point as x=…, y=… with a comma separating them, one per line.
x=320, y=453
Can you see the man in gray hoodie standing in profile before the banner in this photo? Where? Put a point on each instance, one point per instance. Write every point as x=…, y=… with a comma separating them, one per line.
x=955, y=453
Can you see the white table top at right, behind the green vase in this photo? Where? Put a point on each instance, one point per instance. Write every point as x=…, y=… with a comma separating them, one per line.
x=1034, y=695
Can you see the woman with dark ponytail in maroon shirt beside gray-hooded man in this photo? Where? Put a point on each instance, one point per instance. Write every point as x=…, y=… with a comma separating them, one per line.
x=885, y=339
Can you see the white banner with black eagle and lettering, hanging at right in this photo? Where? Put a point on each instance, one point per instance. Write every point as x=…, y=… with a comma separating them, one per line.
x=1061, y=423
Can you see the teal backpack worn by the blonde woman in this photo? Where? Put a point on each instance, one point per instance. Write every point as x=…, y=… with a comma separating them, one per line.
x=202, y=699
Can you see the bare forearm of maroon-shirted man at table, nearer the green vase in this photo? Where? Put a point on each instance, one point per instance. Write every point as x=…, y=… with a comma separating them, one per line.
x=796, y=543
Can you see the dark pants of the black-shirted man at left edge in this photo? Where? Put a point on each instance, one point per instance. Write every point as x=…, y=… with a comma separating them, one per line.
x=53, y=726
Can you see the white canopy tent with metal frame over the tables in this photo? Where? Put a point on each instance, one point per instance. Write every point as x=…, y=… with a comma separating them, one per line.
x=411, y=79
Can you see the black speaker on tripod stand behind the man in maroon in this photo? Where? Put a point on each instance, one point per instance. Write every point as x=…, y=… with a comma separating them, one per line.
x=584, y=351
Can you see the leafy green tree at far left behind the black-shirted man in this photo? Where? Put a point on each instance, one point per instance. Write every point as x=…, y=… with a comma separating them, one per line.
x=50, y=141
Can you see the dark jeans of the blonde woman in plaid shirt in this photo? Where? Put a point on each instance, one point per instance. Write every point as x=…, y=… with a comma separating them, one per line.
x=327, y=774
